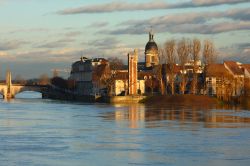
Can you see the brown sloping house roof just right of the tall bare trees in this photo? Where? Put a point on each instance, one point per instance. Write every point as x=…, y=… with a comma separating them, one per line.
x=217, y=70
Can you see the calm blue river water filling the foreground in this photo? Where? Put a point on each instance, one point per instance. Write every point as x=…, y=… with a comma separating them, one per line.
x=53, y=133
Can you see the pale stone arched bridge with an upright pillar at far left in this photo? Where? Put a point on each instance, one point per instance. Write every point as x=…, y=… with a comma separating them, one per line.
x=9, y=90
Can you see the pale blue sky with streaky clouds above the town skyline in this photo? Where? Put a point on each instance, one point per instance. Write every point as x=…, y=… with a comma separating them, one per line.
x=38, y=36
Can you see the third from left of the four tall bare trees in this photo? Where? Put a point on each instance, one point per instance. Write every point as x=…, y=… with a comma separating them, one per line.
x=195, y=53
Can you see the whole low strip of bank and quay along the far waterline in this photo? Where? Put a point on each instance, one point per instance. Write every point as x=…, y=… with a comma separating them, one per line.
x=154, y=100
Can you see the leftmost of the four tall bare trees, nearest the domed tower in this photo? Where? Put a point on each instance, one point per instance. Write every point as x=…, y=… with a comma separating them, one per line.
x=169, y=54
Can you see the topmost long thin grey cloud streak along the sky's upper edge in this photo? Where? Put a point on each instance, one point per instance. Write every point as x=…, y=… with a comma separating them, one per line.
x=152, y=5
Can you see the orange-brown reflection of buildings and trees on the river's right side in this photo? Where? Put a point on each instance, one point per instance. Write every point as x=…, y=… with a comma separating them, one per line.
x=218, y=117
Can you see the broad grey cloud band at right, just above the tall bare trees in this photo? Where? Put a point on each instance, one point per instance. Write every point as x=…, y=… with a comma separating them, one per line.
x=194, y=22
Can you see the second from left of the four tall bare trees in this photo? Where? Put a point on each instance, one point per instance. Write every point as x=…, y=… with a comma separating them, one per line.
x=183, y=53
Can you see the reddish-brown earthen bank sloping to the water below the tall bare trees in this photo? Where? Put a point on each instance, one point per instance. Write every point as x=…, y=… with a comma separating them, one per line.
x=180, y=99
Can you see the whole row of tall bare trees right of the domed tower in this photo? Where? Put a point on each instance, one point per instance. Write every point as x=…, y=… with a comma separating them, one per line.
x=181, y=52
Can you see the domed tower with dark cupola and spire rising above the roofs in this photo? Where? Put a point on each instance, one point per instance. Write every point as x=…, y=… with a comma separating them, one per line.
x=151, y=52
